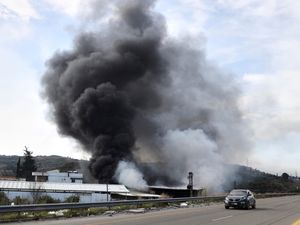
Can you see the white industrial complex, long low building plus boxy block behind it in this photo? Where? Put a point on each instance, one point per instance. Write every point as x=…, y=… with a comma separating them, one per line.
x=61, y=185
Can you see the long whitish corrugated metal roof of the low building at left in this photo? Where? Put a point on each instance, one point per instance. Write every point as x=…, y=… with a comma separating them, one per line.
x=61, y=187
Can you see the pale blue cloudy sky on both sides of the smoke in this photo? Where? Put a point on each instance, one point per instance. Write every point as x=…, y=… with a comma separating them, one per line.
x=258, y=42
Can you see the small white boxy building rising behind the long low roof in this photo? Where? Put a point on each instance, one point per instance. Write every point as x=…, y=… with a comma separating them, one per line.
x=55, y=176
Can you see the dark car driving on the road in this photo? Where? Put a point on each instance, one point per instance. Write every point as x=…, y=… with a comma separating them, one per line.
x=240, y=198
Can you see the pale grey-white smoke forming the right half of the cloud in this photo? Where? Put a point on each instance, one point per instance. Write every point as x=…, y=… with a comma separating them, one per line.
x=201, y=126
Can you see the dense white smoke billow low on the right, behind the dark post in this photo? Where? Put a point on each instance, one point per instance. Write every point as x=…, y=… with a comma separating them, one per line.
x=194, y=152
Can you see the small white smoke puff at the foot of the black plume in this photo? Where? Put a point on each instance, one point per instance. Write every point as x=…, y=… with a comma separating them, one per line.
x=129, y=175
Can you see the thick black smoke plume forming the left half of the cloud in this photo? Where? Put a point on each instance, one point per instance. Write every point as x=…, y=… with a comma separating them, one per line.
x=97, y=89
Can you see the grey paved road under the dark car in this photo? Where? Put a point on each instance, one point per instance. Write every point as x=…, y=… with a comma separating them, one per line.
x=275, y=211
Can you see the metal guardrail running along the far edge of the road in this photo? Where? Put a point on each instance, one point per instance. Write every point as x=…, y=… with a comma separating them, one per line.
x=60, y=206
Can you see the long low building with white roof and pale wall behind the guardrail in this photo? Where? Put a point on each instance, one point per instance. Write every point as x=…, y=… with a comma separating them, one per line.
x=61, y=191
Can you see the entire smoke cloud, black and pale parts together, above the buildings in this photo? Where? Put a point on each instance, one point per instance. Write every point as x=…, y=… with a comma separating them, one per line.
x=129, y=94
